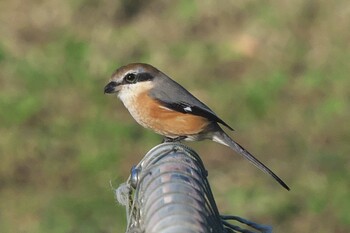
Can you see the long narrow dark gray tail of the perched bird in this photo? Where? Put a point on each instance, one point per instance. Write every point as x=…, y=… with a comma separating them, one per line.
x=222, y=138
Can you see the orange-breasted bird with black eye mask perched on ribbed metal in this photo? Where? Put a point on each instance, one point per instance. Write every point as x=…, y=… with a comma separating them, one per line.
x=159, y=103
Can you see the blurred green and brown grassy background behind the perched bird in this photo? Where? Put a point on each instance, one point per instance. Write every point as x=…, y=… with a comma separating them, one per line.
x=276, y=71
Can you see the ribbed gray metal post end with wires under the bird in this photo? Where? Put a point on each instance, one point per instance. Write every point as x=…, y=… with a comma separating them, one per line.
x=168, y=192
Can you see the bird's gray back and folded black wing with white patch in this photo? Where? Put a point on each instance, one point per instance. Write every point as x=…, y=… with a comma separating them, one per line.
x=173, y=96
